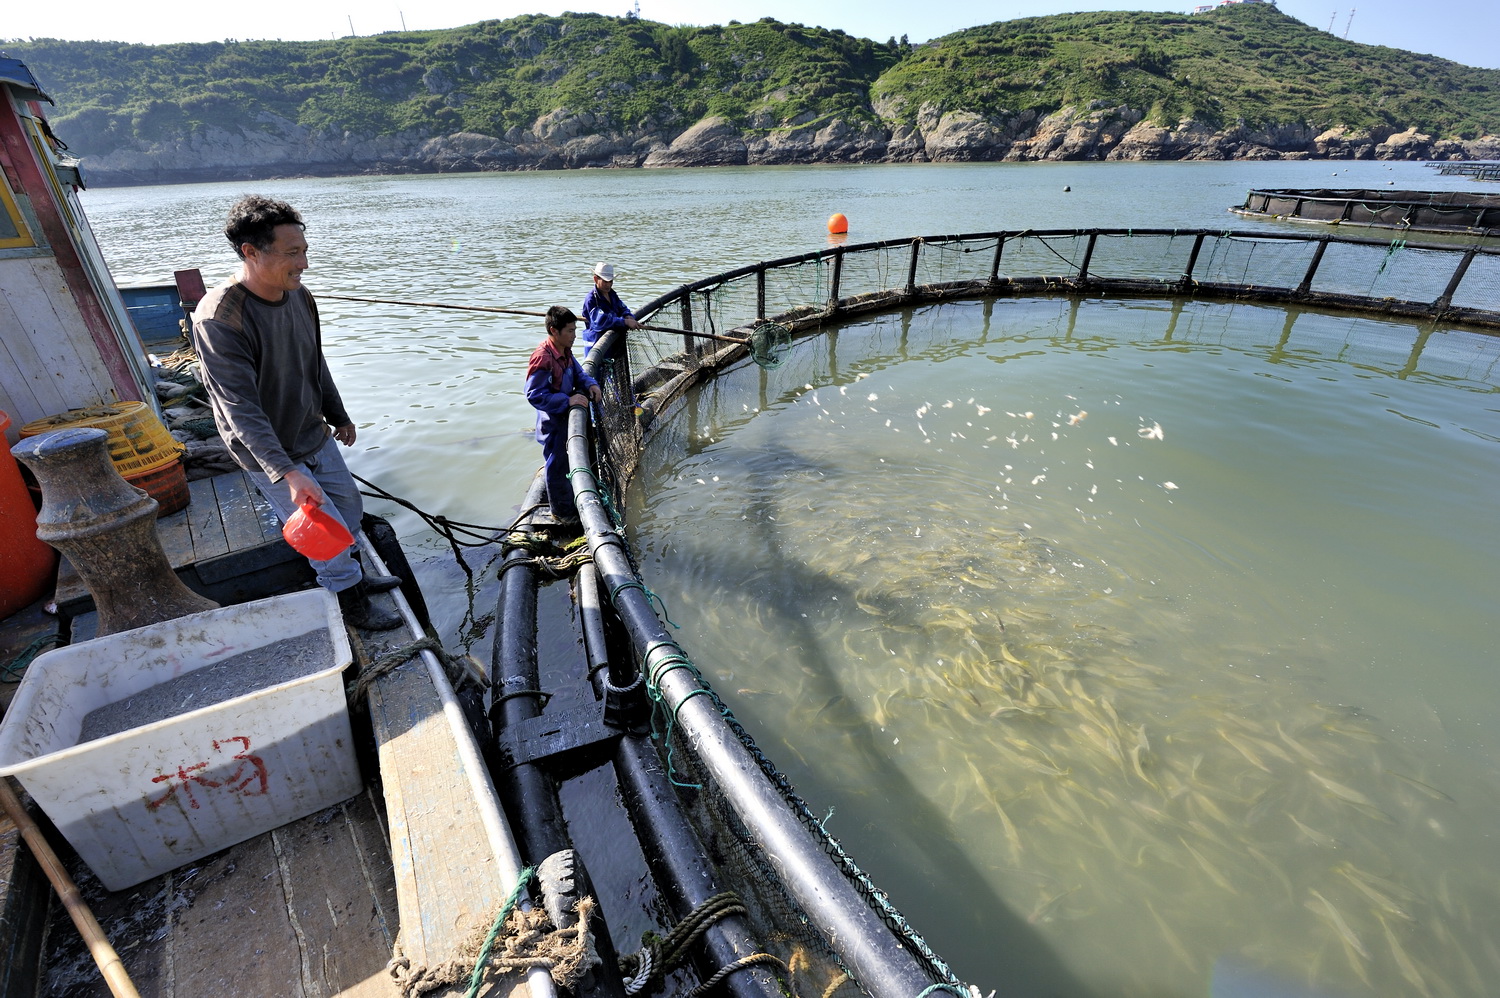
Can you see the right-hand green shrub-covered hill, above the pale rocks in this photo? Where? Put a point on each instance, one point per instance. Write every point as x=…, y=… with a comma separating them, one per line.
x=1249, y=62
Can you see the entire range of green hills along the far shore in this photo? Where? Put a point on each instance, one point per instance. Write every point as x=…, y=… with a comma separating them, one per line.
x=643, y=85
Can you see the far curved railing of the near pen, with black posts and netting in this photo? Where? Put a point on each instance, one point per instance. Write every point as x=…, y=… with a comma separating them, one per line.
x=1456, y=283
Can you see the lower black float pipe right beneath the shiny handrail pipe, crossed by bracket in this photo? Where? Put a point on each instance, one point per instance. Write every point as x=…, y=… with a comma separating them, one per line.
x=668, y=841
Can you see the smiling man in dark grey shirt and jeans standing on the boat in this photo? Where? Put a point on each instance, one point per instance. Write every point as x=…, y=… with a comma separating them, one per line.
x=274, y=400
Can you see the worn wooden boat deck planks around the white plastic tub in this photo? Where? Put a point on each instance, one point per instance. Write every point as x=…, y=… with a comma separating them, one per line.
x=317, y=907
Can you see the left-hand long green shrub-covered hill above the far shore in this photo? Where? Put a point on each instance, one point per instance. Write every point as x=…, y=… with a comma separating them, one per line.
x=485, y=79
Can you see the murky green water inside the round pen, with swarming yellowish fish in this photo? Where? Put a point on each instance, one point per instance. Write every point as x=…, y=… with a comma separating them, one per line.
x=1130, y=643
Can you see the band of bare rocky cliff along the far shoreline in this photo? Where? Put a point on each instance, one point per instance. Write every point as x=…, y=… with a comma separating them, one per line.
x=562, y=140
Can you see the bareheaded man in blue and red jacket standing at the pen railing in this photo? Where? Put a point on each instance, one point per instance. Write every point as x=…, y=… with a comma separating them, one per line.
x=556, y=383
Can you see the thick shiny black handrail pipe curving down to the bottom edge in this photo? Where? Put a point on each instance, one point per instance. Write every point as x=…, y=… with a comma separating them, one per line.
x=874, y=955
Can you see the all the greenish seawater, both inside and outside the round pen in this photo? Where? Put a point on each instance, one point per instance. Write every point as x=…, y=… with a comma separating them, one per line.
x=1132, y=666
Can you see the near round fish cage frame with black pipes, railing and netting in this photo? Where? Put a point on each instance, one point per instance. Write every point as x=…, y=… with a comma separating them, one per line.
x=808, y=901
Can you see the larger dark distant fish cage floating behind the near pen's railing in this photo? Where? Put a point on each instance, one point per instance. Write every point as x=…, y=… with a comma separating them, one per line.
x=1462, y=212
